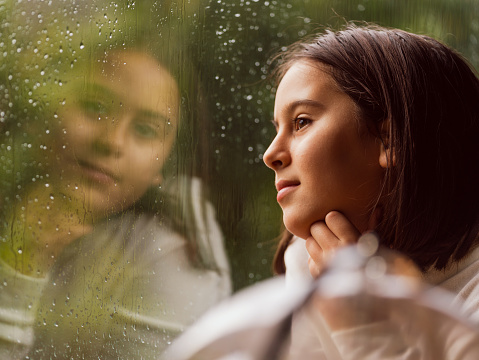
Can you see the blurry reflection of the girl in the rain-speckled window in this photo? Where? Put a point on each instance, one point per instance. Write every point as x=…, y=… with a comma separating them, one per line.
x=100, y=256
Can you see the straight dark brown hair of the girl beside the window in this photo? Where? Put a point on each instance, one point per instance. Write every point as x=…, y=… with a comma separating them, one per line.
x=429, y=96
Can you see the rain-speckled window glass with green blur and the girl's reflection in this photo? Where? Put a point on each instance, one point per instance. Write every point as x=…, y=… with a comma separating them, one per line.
x=133, y=190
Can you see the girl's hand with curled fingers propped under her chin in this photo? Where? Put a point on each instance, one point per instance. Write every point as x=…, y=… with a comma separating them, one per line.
x=326, y=237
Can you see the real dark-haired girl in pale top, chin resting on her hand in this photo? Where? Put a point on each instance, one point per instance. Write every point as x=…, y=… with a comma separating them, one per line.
x=376, y=130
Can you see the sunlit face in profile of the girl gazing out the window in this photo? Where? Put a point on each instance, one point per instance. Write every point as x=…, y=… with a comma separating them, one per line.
x=323, y=156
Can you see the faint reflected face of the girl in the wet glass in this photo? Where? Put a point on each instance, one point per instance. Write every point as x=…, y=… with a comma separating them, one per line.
x=118, y=132
